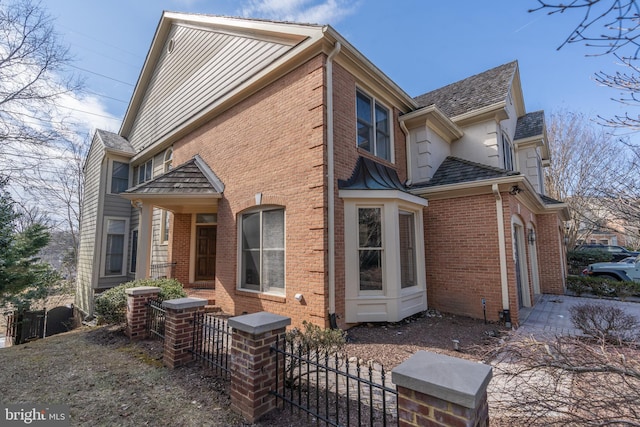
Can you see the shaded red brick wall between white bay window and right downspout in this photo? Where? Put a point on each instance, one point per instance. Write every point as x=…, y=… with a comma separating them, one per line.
x=462, y=256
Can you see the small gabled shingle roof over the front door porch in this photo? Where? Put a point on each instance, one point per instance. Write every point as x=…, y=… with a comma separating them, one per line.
x=193, y=177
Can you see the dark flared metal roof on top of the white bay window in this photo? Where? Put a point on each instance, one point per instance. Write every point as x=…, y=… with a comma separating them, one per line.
x=370, y=175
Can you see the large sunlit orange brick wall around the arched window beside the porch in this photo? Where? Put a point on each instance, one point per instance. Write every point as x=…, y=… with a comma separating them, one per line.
x=271, y=143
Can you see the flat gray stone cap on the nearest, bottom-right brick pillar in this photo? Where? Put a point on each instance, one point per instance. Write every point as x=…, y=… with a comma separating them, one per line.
x=448, y=378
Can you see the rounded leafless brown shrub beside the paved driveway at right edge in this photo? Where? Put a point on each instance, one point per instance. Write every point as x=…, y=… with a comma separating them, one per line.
x=606, y=323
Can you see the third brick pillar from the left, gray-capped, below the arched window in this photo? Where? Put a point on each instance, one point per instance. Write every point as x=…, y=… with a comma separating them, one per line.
x=253, y=366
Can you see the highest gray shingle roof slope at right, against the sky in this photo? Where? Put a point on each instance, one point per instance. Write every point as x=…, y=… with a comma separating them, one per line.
x=472, y=93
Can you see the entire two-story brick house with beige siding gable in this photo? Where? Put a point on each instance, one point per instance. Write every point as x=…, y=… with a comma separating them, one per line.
x=273, y=167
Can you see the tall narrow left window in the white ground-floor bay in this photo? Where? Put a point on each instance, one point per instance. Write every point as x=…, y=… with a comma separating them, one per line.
x=370, y=248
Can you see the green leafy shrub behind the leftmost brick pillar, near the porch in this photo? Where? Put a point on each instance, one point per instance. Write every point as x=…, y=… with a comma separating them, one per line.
x=111, y=305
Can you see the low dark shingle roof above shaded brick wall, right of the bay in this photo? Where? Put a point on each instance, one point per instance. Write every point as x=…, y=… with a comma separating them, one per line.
x=454, y=170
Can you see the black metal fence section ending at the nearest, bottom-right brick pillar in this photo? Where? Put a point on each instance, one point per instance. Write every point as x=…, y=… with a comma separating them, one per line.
x=331, y=388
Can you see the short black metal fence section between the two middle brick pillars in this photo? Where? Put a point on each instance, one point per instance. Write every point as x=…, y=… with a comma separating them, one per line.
x=212, y=342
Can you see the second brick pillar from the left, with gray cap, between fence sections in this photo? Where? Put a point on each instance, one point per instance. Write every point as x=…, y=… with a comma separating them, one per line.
x=179, y=330
